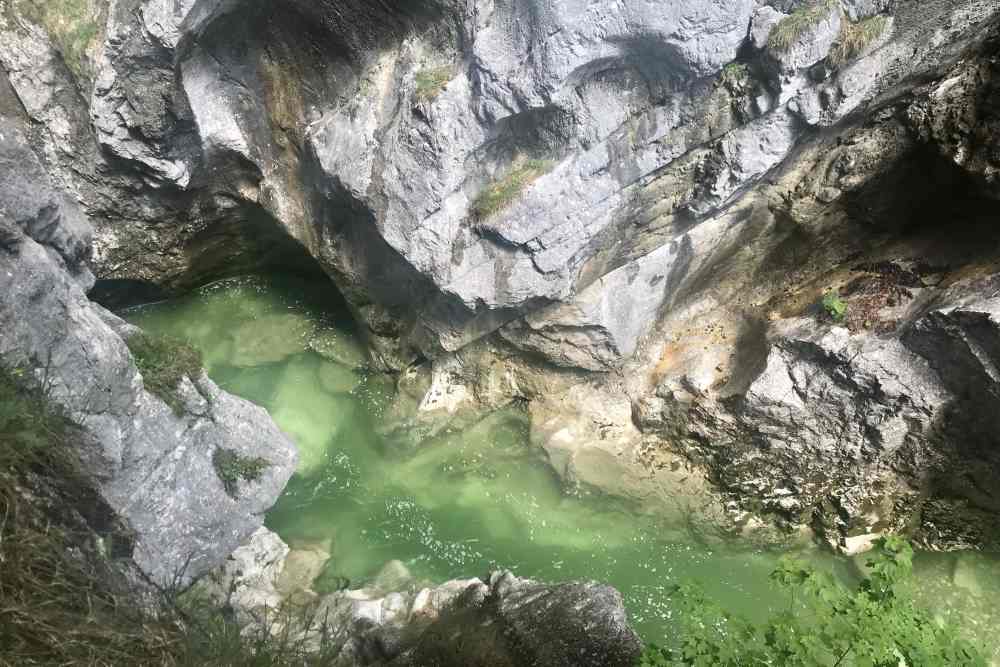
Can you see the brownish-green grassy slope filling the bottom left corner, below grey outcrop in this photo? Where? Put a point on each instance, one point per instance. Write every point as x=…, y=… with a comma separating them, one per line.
x=63, y=598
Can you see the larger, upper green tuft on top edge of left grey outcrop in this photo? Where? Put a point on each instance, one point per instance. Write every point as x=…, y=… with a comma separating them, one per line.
x=164, y=362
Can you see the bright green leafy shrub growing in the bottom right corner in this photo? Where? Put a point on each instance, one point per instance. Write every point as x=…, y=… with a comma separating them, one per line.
x=826, y=624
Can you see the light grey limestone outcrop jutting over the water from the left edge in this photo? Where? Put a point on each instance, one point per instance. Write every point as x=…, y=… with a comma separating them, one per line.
x=154, y=468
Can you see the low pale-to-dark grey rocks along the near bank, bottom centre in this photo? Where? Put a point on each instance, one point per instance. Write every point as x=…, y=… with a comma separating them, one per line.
x=502, y=621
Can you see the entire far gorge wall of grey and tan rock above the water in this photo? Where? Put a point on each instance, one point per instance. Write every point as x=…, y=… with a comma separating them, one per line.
x=689, y=179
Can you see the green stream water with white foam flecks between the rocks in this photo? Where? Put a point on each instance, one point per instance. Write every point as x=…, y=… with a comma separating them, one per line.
x=471, y=500
